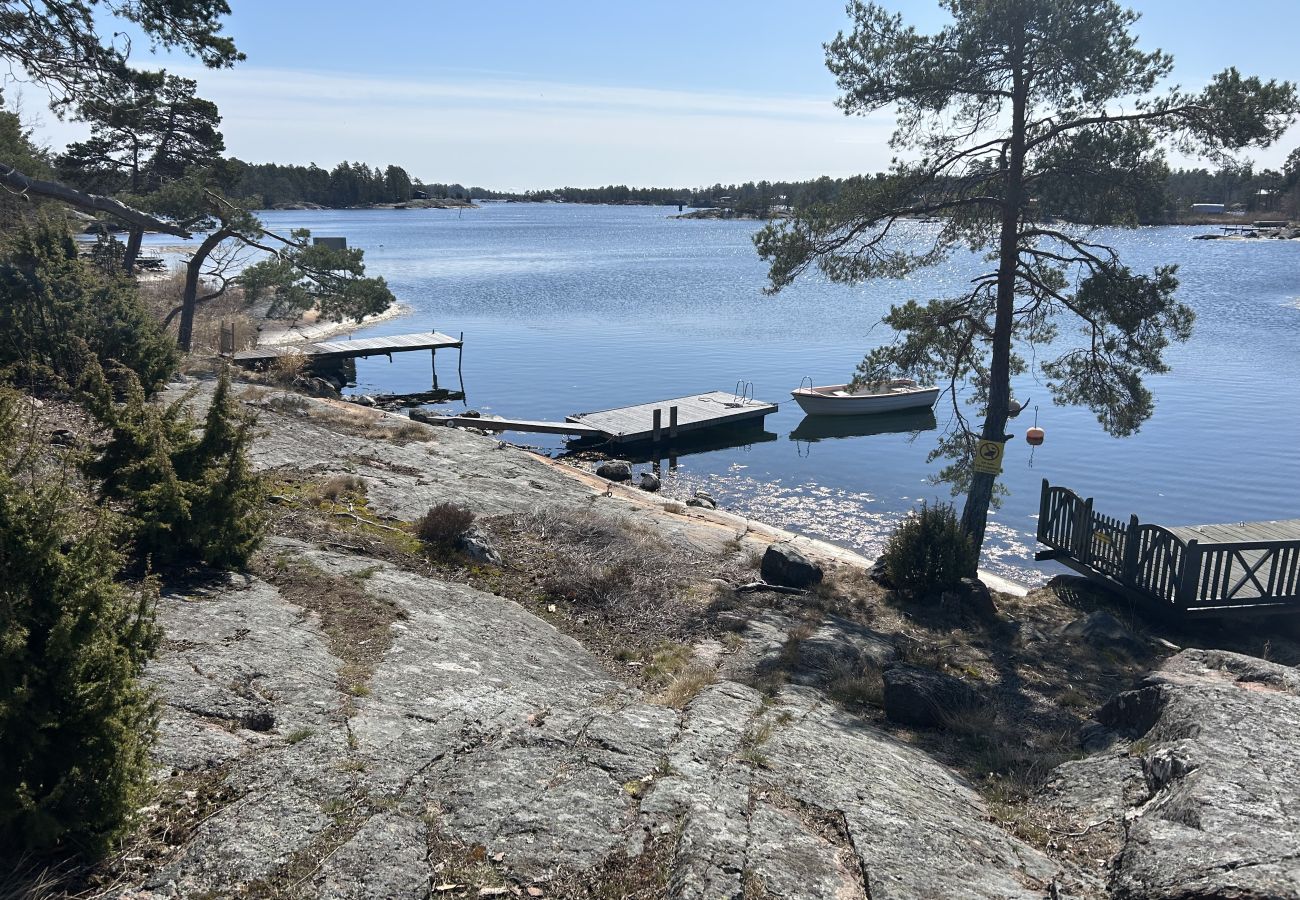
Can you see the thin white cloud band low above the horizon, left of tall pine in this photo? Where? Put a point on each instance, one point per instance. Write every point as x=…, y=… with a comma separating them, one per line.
x=510, y=133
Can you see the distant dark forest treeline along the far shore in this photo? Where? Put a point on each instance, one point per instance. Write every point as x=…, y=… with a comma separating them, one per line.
x=358, y=184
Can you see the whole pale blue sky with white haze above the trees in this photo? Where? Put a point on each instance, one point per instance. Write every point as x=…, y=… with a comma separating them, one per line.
x=517, y=96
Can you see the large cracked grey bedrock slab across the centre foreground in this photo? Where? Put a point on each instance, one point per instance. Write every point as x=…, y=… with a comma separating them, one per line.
x=486, y=726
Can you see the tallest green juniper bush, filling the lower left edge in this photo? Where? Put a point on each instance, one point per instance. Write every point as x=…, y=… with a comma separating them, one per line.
x=76, y=722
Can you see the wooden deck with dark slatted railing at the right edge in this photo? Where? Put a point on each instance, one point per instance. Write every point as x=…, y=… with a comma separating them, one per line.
x=1247, y=568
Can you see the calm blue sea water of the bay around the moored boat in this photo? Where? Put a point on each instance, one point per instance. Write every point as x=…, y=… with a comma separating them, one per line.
x=571, y=309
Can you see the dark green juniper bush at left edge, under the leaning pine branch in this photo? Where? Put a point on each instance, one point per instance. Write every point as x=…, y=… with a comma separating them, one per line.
x=58, y=314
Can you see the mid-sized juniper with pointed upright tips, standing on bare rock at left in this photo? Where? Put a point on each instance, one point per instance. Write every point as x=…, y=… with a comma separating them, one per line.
x=189, y=496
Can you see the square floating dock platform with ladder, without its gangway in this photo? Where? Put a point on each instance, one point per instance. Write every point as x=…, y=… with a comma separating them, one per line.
x=668, y=419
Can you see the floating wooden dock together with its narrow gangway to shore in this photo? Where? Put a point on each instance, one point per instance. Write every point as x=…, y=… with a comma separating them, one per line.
x=655, y=423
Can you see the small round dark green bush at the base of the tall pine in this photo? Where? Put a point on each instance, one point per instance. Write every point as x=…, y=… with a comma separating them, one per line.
x=929, y=553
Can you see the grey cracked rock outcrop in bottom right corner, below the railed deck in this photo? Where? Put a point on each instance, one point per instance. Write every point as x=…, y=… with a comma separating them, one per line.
x=1221, y=812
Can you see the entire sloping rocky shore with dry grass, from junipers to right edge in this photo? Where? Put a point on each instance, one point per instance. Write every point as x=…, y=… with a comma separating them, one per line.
x=619, y=707
